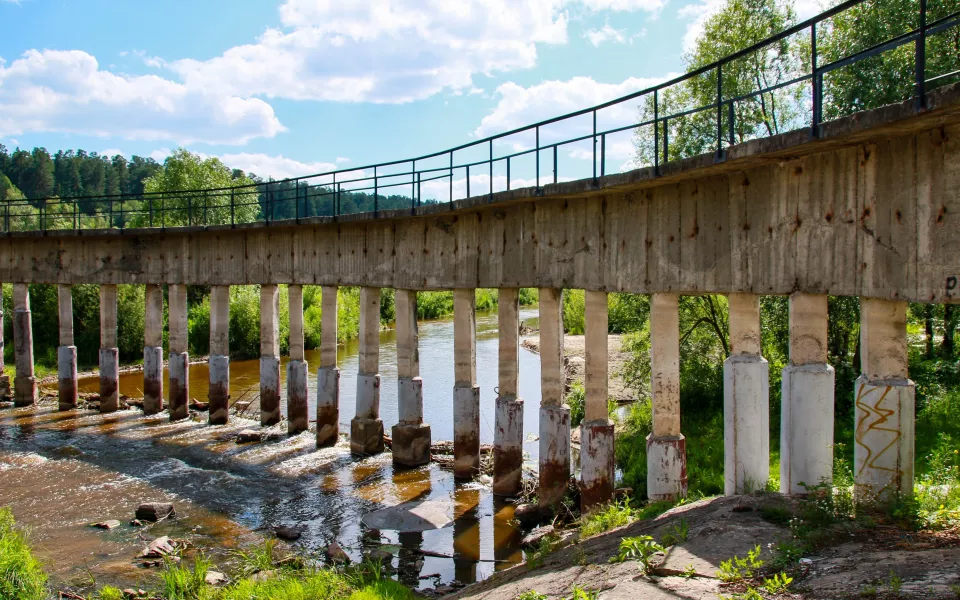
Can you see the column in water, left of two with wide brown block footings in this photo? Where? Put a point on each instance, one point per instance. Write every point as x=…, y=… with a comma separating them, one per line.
x=366, y=428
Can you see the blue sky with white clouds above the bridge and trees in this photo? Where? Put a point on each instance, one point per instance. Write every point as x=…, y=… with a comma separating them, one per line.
x=293, y=87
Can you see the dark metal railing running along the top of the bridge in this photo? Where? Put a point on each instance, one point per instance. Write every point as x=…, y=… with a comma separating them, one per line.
x=324, y=194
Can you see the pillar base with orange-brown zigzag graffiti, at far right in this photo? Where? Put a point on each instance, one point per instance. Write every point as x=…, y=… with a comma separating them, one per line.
x=883, y=451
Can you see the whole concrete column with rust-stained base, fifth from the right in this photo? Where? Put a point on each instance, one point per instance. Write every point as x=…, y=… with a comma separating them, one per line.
x=597, y=468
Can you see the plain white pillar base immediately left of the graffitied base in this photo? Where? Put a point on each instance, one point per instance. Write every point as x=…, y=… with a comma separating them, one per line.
x=806, y=427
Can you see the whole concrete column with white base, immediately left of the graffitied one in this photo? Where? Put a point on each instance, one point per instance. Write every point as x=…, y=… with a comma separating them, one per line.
x=806, y=414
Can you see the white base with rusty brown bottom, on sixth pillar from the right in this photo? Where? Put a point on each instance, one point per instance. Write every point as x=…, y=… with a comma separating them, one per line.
x=554, y=454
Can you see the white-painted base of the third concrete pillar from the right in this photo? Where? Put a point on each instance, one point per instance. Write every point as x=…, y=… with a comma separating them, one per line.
x=746, y=424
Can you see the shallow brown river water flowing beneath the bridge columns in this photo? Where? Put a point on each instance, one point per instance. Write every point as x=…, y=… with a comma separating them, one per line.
x=60, y=471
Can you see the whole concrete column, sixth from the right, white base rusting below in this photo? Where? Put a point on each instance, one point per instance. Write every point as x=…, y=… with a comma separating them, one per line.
x=554, y=414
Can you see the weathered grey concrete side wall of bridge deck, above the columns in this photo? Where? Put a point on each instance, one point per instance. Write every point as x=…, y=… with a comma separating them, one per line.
x=866, y=210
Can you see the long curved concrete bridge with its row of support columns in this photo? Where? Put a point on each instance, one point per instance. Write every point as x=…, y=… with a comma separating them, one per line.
x=869, y=207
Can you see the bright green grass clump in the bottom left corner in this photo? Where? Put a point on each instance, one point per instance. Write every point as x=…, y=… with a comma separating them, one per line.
x=21, y=577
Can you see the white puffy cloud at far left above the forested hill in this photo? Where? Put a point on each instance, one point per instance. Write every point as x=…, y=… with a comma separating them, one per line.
x=67, y=92
